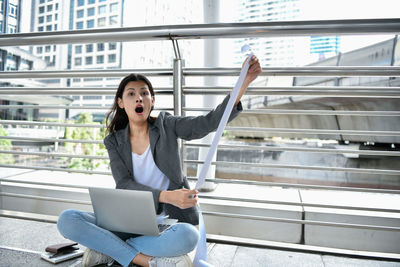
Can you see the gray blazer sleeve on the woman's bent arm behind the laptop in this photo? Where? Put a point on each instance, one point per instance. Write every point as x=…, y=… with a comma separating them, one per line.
x=122, y=176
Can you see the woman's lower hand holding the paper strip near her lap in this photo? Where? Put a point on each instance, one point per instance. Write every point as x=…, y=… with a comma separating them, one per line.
x=181, y=198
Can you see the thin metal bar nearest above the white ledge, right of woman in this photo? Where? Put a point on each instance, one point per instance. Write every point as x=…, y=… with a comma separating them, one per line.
x=301, y=167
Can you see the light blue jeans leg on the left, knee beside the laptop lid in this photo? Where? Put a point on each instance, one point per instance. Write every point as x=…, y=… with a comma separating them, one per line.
x=81, y=227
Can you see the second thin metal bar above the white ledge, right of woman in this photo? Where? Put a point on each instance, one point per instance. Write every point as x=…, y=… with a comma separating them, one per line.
x=305, y=149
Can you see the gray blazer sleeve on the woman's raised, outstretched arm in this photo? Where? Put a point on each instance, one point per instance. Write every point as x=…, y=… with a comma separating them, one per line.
x=195, y=127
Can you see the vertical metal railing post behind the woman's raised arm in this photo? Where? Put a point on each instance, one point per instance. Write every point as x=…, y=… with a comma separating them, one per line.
x=178, y=99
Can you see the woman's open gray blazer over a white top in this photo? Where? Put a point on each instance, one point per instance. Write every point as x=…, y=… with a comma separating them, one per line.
x=163, y=134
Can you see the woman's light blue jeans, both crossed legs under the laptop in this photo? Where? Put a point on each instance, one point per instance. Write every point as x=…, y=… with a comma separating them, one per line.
x=81, y=227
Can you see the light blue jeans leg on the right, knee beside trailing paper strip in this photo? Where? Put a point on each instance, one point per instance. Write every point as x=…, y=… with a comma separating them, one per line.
x=179, y=239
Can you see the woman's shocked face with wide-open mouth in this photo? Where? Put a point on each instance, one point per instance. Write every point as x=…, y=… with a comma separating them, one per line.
x=137, y=101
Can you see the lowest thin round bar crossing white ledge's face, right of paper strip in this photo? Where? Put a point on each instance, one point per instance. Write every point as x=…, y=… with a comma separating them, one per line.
x=284, y=220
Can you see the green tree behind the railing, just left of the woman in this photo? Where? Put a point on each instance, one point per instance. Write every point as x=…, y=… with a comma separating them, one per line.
x=83, y=133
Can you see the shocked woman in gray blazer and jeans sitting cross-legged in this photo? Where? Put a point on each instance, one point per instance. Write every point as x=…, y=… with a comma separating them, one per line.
x=144, y=155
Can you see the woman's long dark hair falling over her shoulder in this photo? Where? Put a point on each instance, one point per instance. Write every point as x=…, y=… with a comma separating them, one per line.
x=119, y=118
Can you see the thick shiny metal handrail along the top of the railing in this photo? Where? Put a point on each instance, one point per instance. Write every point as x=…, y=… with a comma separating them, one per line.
x=207, y=31
